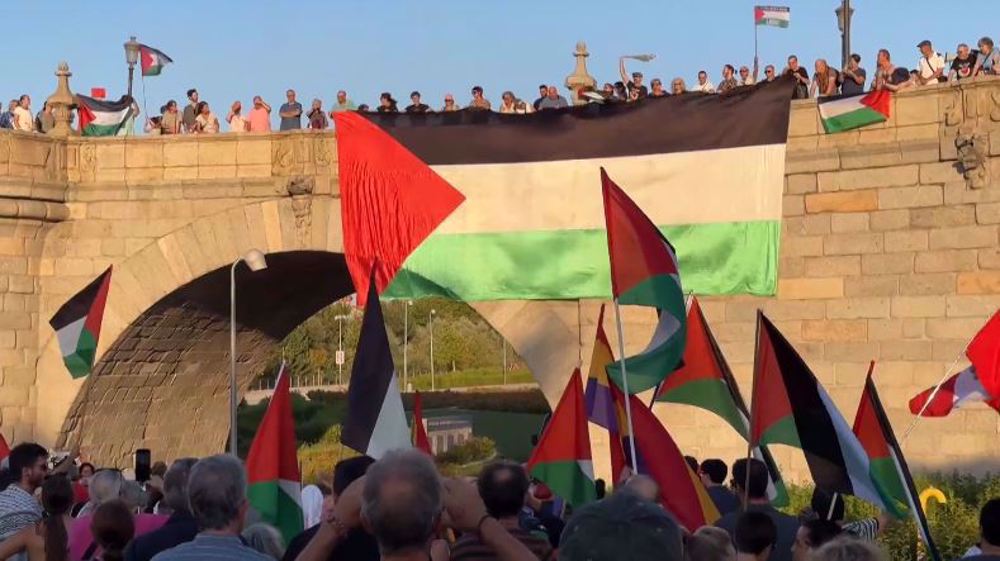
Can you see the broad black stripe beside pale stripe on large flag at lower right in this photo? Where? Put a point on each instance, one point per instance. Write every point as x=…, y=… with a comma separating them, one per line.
x=816, y=431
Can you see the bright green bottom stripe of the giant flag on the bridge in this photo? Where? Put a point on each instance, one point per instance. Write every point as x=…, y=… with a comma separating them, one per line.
x=717, y=258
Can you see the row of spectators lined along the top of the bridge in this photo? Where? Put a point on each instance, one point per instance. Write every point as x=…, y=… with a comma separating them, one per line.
x=197, y=116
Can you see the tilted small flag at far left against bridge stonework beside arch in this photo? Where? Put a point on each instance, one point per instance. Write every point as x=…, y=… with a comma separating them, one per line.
x=78, y=325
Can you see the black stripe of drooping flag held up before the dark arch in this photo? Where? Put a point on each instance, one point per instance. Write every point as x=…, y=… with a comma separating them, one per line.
x=371, y=376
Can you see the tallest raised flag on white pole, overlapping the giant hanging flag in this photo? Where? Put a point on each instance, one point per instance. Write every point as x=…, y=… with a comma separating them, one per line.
x=644, y=272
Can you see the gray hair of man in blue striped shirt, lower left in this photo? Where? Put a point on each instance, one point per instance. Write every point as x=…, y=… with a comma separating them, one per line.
x=217, y=488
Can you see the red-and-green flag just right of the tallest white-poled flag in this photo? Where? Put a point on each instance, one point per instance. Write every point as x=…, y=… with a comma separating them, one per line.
x=704, y=380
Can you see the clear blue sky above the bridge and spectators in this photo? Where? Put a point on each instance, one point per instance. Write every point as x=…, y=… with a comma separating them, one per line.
x=232, y=50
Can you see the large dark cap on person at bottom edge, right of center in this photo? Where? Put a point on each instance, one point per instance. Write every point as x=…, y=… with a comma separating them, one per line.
x=622, y=526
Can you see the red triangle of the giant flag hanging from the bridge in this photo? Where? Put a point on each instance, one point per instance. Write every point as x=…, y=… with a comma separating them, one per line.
x=390, y=200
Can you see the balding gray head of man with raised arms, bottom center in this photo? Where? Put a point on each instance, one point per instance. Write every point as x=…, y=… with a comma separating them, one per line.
x=402, y=500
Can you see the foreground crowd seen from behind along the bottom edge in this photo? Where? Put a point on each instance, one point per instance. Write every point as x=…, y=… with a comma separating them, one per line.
x=400, y=508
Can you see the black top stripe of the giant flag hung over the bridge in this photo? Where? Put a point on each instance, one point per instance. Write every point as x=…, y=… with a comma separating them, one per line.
x=751, y=116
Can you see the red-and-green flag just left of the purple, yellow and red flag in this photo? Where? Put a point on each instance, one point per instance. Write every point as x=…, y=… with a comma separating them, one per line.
x=562, y=457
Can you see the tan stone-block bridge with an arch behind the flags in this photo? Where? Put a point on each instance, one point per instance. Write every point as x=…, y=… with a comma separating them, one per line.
x=889, y=251
